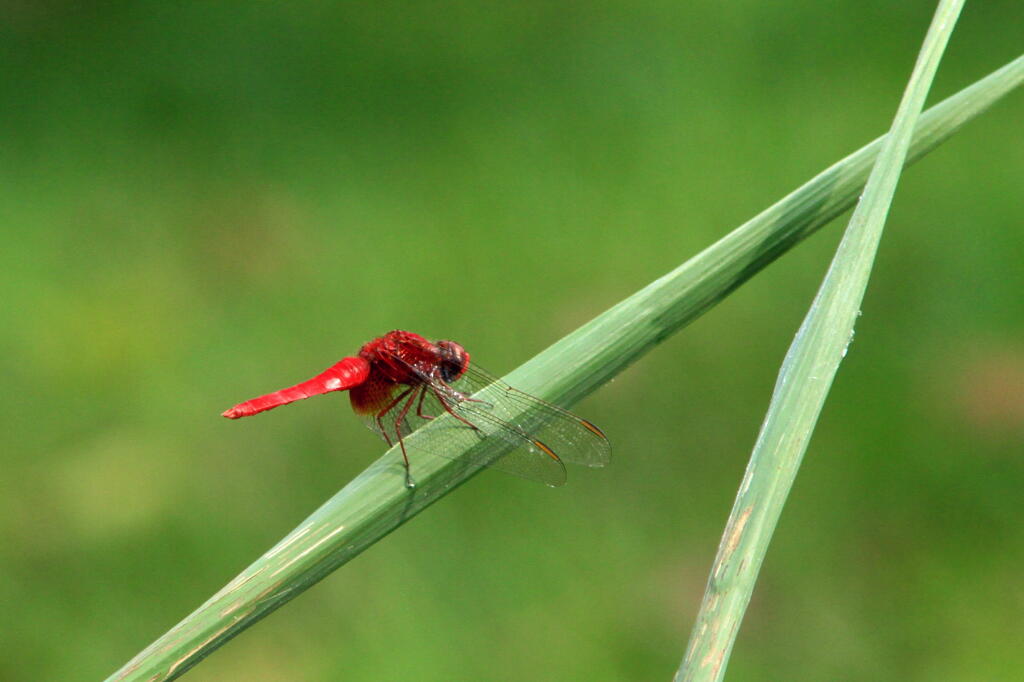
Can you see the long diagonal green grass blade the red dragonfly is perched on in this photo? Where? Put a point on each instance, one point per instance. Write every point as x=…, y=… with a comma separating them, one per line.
x=376, y=503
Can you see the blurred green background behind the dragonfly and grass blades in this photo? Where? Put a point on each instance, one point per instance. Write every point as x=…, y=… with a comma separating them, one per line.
x=202, y=202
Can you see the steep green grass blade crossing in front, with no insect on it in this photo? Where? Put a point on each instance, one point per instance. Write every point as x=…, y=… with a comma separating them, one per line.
x=804, y=381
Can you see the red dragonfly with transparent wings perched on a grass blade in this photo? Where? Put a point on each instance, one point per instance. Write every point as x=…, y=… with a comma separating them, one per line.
x=401, y=381
